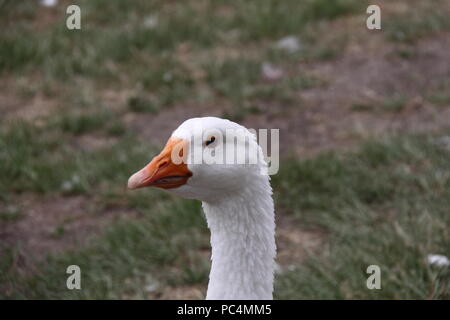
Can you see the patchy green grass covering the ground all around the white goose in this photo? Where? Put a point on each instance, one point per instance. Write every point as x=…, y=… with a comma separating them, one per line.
x=385, y=202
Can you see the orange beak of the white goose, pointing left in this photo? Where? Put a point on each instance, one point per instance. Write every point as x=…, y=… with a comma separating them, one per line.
x=167, y=170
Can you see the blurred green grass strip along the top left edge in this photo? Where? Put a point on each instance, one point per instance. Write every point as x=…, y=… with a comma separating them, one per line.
x=118, y=33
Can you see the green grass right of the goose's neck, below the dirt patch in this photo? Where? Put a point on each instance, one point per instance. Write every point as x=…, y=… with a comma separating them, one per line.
x=386, y=204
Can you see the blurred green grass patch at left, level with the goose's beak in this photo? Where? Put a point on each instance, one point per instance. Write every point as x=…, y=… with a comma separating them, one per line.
x=39, y=160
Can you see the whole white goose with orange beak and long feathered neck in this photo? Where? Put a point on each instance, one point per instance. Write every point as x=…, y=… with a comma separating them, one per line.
x=236, y=198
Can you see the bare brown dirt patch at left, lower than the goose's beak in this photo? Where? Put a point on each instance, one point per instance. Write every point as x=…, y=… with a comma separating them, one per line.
x=50, y=224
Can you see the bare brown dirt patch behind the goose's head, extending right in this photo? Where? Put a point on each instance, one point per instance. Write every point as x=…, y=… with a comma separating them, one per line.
x=324, y=118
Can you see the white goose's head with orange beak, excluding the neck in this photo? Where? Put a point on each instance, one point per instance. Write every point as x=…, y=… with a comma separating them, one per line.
x=205, y=159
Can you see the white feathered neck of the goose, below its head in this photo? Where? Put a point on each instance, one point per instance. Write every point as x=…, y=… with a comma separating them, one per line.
x=243, y=243
